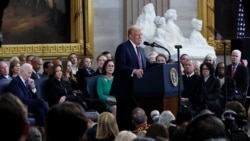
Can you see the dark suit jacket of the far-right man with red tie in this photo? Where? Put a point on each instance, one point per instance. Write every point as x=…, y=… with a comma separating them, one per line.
x=241, y=78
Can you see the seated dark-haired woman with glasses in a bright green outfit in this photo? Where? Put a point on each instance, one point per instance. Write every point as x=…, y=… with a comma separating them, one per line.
x=104, y=85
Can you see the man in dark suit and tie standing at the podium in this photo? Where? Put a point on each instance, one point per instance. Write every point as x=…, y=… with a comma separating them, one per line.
x=130, y=61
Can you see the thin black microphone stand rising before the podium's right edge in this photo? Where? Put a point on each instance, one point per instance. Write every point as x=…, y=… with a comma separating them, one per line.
x=178, y=47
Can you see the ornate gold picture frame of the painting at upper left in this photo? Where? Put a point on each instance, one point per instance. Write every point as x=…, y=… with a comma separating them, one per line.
x=50, y=51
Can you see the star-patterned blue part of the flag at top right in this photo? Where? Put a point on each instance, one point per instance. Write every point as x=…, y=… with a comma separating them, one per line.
x=241, y=22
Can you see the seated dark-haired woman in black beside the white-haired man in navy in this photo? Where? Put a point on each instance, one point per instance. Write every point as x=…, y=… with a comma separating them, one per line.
x=61, y=90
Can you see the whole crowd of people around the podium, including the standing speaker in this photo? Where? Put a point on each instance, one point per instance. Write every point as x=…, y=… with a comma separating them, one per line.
x=211, y=103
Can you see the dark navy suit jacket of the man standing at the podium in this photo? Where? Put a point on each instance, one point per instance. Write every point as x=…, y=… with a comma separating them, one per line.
x=125, y=61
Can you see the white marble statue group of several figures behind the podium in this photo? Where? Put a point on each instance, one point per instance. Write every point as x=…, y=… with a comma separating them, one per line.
x=164, y=31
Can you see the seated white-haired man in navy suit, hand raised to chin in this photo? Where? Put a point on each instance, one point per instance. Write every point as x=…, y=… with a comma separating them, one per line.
x=24, y=87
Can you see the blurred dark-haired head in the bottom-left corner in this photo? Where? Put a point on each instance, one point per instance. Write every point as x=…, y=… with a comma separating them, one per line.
x=13, y=120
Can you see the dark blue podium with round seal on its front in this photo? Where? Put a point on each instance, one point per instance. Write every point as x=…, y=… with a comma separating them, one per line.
x=158, y=88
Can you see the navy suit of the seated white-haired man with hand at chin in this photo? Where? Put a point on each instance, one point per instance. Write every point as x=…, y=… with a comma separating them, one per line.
x=36, y=106
